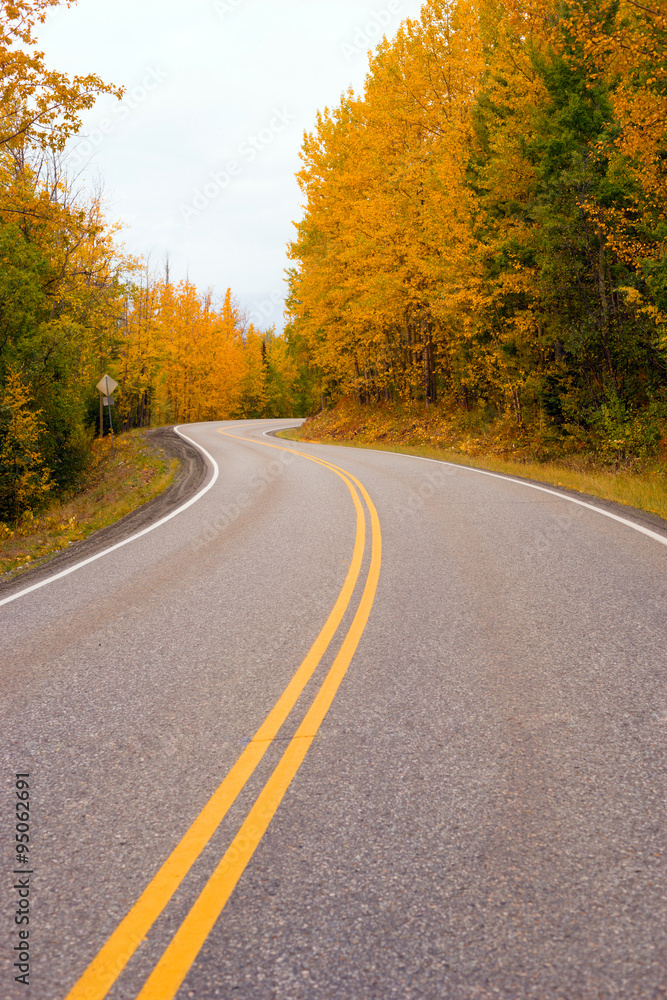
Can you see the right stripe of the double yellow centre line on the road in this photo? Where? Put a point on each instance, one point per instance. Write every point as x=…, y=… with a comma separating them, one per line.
x=168, y=975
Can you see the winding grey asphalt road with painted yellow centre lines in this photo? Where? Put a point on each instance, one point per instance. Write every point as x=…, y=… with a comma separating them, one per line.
x=466, y=800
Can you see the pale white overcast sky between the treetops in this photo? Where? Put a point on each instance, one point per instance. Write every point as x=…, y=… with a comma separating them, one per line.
x=212, y=83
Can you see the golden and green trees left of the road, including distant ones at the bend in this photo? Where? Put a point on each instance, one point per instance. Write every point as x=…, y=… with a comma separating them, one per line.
x=74, y=304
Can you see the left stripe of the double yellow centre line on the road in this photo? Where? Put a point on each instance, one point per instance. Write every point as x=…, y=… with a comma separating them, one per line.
x=114, y=955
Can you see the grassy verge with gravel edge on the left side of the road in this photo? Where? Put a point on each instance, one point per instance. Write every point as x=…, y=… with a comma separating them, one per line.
x=113, y=488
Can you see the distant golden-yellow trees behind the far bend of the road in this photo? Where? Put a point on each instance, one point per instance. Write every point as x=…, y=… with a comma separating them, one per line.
x=182, y=360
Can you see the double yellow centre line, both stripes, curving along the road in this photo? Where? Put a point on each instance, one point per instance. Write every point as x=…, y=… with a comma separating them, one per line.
x=173, y=966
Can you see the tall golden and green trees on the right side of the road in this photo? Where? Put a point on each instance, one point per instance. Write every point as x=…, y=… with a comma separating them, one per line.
x=484, y=228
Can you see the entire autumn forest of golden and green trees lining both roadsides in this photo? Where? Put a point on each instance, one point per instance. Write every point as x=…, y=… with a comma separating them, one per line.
x=483, y=233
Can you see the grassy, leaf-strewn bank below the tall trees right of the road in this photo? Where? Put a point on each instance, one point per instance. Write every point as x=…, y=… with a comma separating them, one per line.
x=644, y=485
